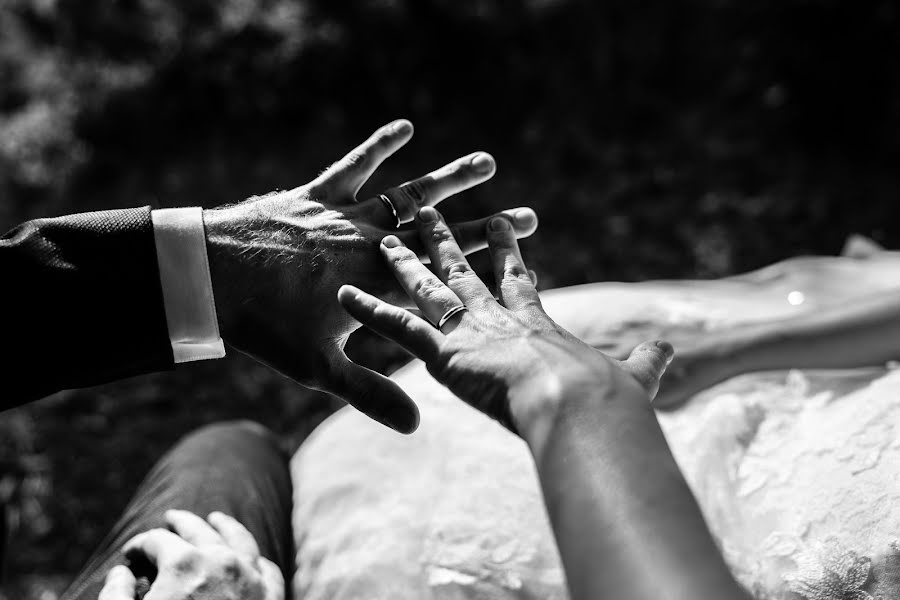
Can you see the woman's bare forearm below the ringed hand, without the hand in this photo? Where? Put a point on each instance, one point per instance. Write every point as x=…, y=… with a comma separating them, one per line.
x=626, y=524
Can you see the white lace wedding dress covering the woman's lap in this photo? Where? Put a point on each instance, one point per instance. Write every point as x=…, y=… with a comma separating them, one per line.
x=797, y=473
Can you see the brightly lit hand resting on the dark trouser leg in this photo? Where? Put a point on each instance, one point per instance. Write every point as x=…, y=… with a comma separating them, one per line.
x=217, y=559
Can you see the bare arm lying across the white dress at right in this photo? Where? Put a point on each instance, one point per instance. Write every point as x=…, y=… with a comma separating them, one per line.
x=860, y=333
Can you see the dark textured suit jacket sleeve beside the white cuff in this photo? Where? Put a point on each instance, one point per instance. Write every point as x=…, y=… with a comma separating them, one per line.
x=80, y=303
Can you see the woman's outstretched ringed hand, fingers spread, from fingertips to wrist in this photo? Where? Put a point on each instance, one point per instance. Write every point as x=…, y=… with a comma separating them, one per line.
x=505, y=357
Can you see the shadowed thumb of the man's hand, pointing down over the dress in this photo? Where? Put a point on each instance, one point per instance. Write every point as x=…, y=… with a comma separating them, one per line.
x=372, y=394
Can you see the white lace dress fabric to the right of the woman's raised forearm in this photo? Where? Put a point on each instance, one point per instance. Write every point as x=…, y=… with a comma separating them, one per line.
x=797, y=475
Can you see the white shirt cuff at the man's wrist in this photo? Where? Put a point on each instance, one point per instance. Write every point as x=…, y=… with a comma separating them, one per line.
x=186, y=284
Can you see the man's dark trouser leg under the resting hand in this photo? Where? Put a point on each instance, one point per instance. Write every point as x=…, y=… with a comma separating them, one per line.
x=236, y=468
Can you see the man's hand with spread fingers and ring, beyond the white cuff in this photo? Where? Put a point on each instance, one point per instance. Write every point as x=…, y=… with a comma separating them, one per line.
x=277, y=262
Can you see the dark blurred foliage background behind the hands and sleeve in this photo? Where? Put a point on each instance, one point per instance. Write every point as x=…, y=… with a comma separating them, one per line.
x=655, y=139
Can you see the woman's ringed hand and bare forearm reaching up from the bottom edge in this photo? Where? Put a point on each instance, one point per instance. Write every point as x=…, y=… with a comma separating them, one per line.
x=626, y=524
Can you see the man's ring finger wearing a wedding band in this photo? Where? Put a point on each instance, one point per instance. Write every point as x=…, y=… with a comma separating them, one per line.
x=428, y=190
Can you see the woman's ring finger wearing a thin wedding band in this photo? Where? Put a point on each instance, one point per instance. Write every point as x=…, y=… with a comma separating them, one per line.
x=429, y=293
